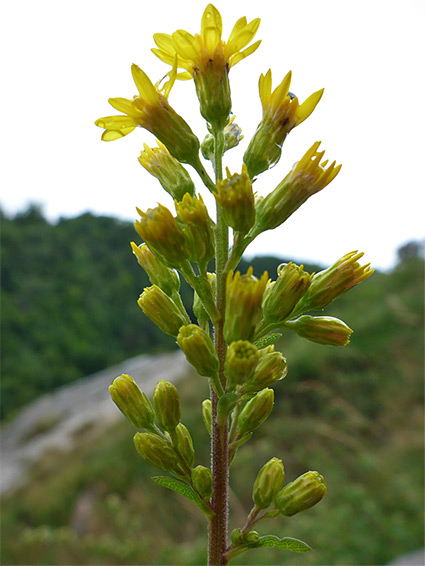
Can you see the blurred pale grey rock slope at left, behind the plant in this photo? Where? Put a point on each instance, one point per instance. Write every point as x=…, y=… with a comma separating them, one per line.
x=54, y=421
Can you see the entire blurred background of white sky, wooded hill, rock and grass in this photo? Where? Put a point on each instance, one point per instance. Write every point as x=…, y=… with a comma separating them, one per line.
x=74, y=491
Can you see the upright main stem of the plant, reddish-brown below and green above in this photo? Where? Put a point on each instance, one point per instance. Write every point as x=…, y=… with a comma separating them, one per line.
x=218, y=524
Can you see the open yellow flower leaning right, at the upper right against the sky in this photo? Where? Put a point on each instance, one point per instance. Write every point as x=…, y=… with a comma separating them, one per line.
x=281, y=113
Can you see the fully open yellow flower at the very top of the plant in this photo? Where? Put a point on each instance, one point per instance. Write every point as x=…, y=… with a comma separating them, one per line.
x=207, y=58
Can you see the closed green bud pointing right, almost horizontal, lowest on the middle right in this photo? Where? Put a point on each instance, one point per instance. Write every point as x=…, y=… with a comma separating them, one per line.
x=321, y=329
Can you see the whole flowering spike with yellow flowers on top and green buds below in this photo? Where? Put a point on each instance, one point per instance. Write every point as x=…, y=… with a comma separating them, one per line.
x=231, y=343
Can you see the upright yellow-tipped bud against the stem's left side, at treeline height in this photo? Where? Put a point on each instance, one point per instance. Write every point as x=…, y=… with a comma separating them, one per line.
x=197, y=227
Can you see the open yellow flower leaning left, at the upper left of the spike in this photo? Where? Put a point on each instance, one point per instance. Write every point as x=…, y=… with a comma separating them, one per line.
x=151, y=110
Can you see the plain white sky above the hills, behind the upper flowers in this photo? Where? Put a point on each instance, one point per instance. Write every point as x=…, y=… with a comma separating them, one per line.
x=63, y=60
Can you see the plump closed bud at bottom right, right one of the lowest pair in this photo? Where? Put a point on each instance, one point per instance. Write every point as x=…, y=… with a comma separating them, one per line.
x=301, y=494
